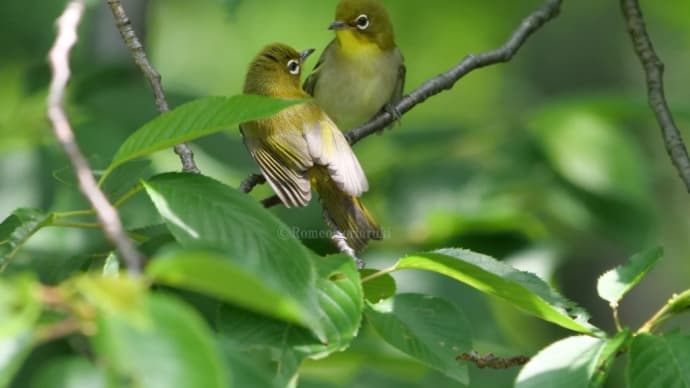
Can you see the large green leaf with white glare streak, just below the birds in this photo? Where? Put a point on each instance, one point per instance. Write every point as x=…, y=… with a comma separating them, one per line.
x=201, y=212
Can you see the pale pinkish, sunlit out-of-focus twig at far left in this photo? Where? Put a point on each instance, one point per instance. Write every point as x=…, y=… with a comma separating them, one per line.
x=59, y=60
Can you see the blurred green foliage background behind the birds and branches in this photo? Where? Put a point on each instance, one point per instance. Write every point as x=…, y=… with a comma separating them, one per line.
x=552, y=162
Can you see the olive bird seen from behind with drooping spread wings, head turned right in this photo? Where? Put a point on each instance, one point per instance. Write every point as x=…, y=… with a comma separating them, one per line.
x=300, y=148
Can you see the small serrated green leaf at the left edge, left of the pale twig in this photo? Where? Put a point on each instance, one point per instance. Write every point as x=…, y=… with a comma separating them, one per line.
x=17, y=228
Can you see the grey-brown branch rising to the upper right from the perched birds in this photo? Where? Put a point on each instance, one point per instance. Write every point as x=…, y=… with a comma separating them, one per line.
x=447, y=80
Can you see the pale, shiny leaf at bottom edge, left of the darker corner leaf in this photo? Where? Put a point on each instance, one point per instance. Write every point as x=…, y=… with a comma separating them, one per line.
x=568, y=363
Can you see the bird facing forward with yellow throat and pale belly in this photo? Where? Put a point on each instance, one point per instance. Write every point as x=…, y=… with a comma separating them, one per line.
x=361, y=71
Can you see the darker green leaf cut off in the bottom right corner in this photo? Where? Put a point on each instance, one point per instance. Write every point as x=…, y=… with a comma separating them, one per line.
x=659, y=361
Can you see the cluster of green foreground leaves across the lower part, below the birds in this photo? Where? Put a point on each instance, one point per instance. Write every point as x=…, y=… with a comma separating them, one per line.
x=230, y=297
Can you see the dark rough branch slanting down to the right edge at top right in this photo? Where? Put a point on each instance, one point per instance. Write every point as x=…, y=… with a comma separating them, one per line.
x=654, y=72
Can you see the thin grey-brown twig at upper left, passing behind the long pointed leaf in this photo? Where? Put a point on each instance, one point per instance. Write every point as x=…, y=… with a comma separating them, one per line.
x=124, y=25
